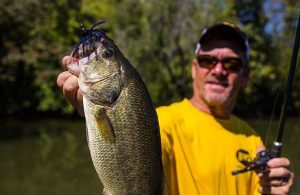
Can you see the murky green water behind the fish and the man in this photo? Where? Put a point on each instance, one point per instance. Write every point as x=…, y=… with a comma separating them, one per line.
x=51, y=156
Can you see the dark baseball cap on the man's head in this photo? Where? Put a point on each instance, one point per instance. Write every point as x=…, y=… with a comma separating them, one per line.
x=226, y=31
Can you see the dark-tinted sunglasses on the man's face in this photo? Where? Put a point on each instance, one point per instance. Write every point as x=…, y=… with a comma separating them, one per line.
x=228, y=63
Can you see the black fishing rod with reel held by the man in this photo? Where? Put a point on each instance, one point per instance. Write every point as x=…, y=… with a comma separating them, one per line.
x=260, y=161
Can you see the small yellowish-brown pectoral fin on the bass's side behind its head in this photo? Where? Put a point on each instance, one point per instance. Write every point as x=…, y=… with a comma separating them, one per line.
x=105, y=127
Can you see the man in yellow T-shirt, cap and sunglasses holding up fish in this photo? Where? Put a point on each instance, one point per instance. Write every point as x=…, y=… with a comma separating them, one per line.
x=200, y=136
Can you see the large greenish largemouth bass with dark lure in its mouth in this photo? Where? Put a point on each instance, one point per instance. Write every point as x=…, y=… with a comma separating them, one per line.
x=122, y=126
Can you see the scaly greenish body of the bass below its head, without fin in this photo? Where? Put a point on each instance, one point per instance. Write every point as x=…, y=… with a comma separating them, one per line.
x=129, y=160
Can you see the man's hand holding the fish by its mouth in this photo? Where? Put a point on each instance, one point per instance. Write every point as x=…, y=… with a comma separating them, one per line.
x=68, y=83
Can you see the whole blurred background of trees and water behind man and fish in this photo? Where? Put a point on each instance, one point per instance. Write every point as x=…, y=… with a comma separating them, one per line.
x=43, y=147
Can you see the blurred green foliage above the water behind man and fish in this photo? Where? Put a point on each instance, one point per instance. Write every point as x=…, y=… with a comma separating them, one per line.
x=157, y=36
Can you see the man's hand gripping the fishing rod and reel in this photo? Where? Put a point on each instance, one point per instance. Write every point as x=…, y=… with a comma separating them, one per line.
x=278, y=179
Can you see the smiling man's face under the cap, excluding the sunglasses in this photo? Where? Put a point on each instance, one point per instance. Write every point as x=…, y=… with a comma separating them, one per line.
x=218, y=86
